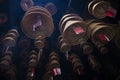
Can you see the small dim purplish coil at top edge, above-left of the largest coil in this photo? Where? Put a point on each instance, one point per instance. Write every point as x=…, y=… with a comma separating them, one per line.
x=26, y=4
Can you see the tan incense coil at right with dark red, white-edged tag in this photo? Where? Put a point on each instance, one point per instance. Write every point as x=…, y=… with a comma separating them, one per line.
x=100, y=32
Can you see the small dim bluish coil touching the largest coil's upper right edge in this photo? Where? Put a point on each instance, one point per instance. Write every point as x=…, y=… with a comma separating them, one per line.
x=51, y=8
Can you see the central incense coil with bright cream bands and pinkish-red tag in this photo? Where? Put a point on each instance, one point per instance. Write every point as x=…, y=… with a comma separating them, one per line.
x=73, y=29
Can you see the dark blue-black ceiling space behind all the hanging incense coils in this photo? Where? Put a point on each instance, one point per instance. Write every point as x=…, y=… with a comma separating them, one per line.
x=14, y=12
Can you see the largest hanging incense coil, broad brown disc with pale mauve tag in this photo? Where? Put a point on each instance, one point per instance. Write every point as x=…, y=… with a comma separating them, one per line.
x=41, y=24
